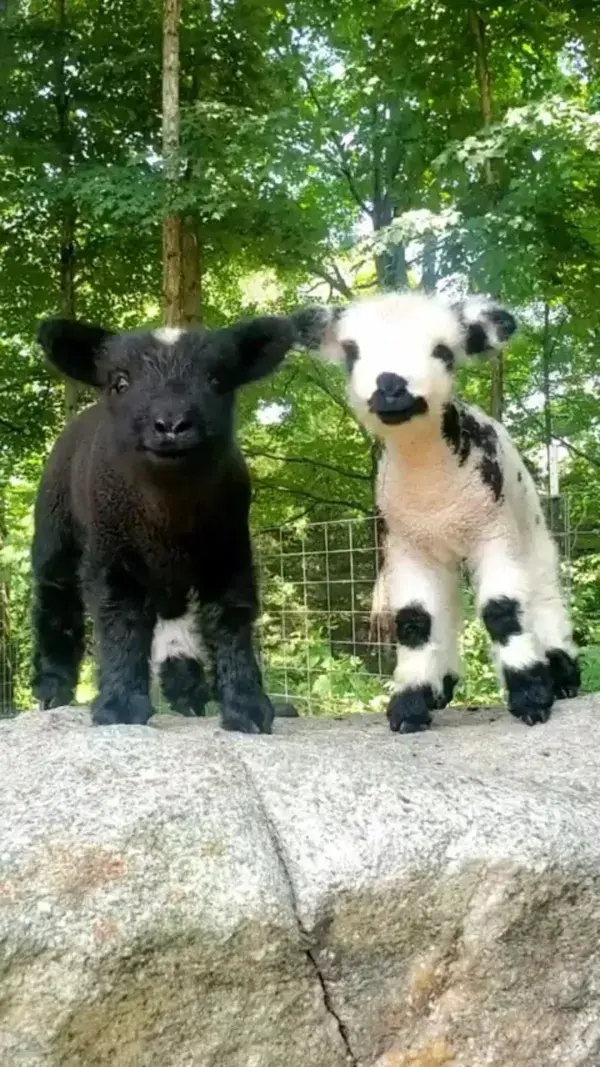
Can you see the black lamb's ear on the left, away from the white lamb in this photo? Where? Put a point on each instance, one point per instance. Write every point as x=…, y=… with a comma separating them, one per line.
x=74, y=348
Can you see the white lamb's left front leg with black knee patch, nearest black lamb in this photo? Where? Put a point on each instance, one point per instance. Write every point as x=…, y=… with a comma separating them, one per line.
x=422, y=597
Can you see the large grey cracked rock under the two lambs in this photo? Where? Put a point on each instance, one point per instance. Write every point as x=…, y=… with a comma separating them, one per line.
x=330, y=896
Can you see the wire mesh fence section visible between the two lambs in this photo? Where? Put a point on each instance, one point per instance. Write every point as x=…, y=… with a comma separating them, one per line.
x=317, y=642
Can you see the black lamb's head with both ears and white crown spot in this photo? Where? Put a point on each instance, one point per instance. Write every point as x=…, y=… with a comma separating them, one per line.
x=169, y=394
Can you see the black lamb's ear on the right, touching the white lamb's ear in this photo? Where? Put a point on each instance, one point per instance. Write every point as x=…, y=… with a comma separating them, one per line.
x=254, y=349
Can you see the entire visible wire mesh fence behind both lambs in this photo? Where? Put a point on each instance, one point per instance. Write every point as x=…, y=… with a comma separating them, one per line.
x=319, y=647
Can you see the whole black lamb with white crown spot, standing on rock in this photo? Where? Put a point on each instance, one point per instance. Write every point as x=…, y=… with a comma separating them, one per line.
x=143, y=519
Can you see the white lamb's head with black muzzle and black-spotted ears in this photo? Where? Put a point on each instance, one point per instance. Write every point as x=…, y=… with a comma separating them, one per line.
x=401, y=351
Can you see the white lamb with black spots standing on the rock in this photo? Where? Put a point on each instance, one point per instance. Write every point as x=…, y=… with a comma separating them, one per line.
x=451, y=489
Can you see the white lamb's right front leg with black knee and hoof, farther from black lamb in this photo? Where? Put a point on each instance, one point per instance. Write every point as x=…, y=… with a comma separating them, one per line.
x=504, y=599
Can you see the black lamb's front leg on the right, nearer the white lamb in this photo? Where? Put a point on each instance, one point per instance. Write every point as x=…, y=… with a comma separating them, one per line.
x=227, y=627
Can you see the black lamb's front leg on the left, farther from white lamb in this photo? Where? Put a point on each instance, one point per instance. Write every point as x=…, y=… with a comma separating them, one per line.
x=124, y=626
